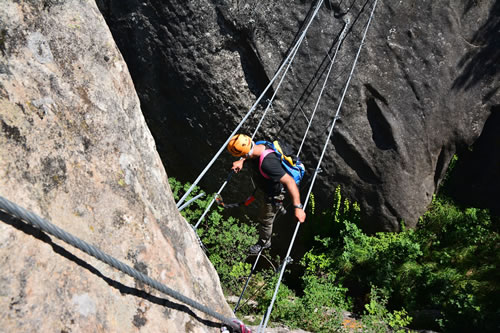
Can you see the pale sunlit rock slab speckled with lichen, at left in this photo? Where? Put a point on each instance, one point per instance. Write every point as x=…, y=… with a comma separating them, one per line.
x=75, y=149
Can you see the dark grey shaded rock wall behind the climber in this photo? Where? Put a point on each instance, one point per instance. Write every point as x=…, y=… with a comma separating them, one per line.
x=425, y=84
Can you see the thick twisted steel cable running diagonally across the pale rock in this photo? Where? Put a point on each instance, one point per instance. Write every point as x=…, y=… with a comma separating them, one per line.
x=44, y=225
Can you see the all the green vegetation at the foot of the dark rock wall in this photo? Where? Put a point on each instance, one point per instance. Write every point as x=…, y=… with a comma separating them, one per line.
x=447, y=267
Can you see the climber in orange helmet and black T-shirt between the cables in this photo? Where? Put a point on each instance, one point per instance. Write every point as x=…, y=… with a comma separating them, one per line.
x=242, y=146
